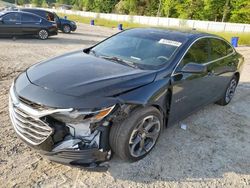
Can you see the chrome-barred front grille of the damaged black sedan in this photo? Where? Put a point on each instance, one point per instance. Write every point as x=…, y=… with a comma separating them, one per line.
x=32, y=129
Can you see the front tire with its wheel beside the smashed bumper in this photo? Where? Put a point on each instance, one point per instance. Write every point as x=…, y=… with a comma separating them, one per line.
x=127, y=137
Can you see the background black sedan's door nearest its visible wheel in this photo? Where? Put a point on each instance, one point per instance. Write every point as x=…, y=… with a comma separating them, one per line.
x=30, y=23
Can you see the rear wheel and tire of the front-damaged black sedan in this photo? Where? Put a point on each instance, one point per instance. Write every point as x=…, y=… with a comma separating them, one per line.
x=229, y=93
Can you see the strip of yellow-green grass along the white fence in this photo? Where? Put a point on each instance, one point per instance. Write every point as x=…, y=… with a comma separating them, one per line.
x=244, y=38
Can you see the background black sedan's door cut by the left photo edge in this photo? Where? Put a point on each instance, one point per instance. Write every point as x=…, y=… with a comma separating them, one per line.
x=11, y=24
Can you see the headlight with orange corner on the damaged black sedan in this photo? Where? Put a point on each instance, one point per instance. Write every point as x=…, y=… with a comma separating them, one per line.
x=77, y=116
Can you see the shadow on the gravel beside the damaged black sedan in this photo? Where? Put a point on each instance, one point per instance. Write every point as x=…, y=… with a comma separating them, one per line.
x=215, y=143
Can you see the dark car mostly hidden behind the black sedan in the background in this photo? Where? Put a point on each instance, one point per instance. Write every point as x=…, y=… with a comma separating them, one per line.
x=64, y=25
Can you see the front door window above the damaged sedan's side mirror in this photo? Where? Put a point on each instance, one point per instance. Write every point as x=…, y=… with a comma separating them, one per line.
x=198, y=53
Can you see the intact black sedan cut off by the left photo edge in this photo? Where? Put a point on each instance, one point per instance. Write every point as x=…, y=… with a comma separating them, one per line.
x=14, y=23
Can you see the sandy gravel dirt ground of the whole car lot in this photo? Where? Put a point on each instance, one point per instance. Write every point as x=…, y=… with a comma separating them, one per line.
x=214, y=151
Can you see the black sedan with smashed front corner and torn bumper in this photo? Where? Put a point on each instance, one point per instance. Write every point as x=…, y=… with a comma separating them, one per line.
x=80, y=107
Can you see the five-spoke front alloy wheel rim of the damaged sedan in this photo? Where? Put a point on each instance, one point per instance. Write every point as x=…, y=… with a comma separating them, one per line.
x=144, y=136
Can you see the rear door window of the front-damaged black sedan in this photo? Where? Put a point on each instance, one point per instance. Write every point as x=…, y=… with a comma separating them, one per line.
x=218, y=49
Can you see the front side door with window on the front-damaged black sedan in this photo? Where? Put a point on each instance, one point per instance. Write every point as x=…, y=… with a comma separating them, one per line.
x=190, y=90
